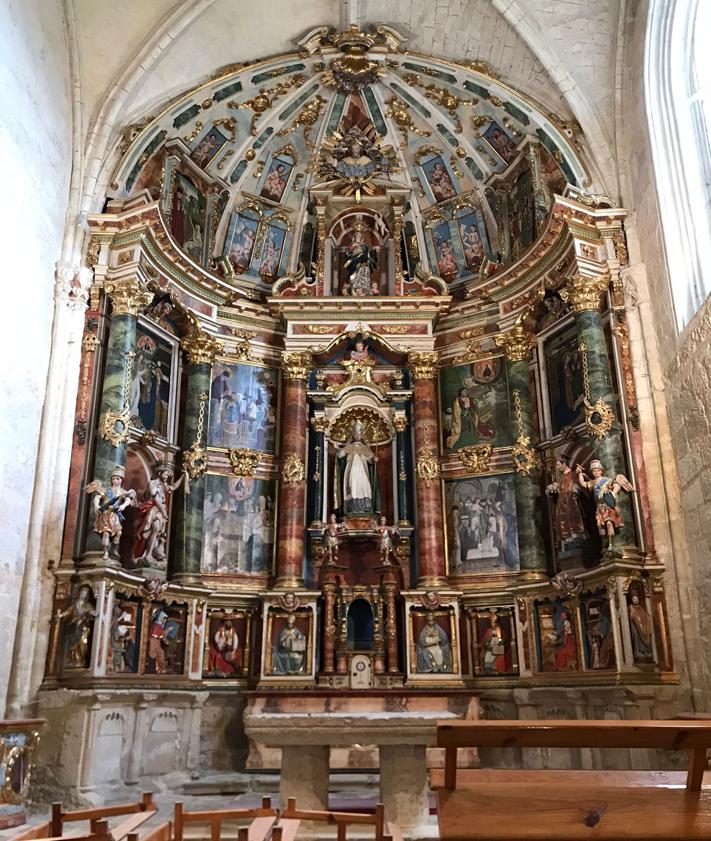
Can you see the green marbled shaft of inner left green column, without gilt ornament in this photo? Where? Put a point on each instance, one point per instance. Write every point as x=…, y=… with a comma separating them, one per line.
x=187, y=534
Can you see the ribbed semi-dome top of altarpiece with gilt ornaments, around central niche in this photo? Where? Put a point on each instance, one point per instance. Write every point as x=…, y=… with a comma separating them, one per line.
x=233, y=162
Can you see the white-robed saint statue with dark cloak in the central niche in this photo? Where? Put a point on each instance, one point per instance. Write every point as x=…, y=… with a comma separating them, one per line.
x=355, y=489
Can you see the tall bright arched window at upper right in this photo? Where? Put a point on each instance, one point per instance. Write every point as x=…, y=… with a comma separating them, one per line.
x=678, y=89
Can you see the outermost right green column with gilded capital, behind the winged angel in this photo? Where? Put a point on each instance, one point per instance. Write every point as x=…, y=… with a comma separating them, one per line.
x=584, y=294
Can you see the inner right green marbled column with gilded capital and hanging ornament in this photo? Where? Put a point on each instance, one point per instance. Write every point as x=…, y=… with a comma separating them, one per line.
x=517, y=344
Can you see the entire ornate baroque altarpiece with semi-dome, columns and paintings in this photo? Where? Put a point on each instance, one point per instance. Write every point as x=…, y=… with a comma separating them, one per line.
x=356, y=411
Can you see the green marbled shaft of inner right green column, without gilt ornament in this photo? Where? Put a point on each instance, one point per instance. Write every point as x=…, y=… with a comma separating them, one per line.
x=529, y=503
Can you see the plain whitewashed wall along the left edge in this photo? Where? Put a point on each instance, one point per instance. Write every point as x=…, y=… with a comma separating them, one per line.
x=35, y=147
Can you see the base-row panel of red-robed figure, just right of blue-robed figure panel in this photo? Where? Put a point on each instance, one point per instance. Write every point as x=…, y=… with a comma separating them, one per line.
x=493, y=633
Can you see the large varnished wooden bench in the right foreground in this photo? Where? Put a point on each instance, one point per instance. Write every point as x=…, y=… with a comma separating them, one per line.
x=491, y=805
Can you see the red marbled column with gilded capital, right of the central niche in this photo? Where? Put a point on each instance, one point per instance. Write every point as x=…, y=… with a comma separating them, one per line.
x=430, y=519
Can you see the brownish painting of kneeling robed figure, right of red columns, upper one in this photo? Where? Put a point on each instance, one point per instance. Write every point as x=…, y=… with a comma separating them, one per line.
x=475, y=405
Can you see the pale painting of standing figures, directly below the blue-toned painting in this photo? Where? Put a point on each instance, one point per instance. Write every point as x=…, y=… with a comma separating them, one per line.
x=238, y=525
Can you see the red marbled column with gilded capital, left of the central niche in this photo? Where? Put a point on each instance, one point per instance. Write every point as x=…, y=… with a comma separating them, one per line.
x=292, y=490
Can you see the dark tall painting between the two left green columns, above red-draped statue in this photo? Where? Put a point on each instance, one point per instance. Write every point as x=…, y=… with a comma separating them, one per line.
x=152, y=379
